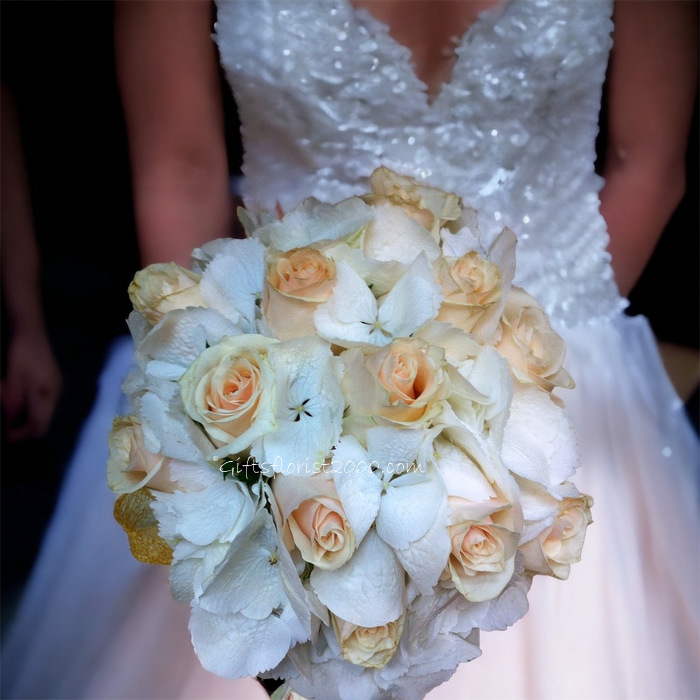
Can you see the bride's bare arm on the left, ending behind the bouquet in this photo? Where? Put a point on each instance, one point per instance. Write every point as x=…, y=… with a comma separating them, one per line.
x=167, y=67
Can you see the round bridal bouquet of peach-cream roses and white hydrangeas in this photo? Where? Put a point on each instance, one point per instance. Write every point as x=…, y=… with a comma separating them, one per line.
x=345, y=442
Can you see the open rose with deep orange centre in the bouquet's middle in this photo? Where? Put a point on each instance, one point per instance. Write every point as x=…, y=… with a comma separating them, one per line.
x=402, y=381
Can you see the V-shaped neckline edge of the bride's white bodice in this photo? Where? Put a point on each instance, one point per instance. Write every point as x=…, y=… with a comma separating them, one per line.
x=434, y=94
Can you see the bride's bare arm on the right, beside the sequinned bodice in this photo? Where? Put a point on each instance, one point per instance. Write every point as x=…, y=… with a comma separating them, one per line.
x=652, y=87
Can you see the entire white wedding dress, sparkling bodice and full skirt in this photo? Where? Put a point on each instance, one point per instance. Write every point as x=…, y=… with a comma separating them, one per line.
x=325, y=95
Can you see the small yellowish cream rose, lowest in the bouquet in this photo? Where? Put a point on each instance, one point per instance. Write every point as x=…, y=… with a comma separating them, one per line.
x=371, y=647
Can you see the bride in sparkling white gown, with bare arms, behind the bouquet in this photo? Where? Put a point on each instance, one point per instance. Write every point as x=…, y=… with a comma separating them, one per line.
x=497, y=101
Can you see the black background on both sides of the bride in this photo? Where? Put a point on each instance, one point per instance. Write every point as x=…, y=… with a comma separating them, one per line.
x=57, y=57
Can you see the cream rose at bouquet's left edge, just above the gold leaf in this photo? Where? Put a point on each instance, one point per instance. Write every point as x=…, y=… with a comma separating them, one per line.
x=130, y=465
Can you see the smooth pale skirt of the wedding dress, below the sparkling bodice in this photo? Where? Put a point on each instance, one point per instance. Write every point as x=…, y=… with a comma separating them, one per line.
x=95, y=623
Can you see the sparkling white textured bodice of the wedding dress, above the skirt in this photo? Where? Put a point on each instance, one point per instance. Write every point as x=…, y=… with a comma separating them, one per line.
x=325, y=95
